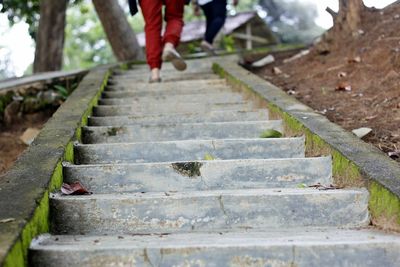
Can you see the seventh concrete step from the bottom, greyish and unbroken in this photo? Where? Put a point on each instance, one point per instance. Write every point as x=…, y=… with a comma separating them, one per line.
x=167, y=108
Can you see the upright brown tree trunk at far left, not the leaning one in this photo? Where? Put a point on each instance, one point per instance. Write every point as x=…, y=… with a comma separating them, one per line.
x=50, y=36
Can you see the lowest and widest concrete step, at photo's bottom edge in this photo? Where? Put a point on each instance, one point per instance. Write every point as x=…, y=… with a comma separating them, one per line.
x=297, y=247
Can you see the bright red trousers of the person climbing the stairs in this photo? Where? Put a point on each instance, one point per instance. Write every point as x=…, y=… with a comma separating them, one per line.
x=152, y=13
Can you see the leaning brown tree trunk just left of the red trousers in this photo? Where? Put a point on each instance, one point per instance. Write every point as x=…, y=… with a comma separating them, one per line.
x=119, y=33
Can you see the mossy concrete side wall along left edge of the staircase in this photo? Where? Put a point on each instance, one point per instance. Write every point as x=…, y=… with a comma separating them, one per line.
x=24, y=187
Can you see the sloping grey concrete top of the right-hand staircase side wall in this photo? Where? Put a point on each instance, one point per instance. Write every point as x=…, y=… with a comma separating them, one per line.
x=372, y=163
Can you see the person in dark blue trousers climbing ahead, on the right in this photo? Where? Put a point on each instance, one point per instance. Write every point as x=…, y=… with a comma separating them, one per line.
x=215, y=13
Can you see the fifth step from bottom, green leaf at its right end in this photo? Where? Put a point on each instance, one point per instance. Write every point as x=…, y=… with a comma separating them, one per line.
x=188, y=131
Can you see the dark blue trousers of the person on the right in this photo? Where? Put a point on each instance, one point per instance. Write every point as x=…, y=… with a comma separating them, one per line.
x=215, y=13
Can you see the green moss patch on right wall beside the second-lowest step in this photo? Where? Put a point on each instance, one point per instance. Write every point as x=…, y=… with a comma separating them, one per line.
x=384, y=207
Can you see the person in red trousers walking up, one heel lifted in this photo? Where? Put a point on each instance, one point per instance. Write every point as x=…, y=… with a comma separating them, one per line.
x=161, y=48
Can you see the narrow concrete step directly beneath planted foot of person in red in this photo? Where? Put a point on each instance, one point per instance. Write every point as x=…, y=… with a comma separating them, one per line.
x=154, y=87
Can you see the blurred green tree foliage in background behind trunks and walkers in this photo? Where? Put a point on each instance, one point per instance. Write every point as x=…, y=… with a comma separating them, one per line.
x=86, y=44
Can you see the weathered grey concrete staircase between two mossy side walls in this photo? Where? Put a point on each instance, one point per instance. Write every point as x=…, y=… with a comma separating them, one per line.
x=180, y=177
